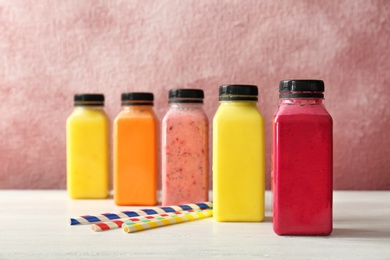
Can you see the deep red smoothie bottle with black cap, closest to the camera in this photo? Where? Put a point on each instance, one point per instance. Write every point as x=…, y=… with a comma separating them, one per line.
x=302, y=160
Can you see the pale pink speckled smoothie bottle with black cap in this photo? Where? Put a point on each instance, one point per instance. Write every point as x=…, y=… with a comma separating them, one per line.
x=185, y=143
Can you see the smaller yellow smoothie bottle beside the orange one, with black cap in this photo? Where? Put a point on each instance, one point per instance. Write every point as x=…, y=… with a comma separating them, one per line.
x=87, y=151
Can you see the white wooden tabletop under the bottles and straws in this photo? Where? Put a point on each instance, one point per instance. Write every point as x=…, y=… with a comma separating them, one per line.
x=34, y=225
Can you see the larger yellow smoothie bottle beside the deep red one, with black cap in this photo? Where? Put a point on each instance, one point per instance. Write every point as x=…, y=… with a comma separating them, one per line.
x=238, y=156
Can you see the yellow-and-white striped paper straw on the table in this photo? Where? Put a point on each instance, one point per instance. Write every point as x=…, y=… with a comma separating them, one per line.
x=160, y=221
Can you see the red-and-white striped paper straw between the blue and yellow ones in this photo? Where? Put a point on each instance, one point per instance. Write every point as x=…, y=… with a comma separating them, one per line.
x=104, y=226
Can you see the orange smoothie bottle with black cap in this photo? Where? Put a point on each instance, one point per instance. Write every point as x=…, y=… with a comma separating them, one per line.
x=136, y=151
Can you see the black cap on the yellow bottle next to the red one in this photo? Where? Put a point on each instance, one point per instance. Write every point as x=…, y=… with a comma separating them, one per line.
x=238, y=92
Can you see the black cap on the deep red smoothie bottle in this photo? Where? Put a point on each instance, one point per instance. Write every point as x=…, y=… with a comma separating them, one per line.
x=310, y=88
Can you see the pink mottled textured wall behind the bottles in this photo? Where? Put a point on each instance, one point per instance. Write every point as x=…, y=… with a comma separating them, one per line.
x=50, y=50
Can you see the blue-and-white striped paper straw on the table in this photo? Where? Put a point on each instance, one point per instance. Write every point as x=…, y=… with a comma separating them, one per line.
x=89, y=219
